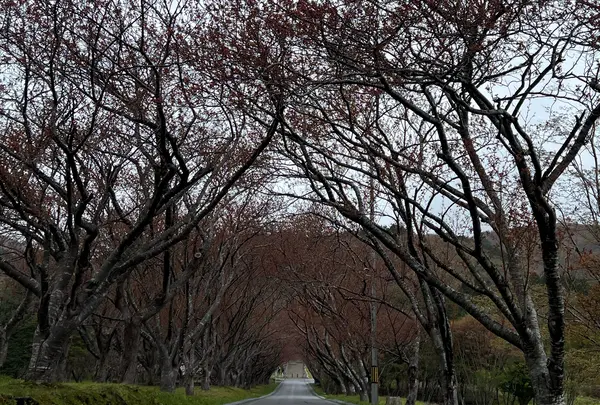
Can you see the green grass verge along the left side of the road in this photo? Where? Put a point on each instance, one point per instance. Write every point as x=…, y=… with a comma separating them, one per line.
x=120, y=394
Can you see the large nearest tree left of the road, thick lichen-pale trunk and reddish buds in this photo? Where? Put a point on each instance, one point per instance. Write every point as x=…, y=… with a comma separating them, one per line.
x=110, y=125
